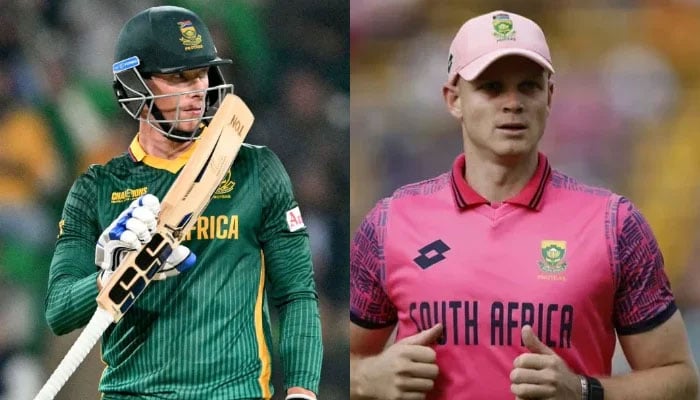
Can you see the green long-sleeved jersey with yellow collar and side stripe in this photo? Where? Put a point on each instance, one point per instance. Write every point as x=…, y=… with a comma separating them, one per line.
x=203, y=334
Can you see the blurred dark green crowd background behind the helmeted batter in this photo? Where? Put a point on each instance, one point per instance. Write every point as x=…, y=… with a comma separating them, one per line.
x=58, y=115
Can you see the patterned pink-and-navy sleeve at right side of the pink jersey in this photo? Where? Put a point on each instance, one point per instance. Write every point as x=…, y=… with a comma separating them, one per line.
x=643, y=298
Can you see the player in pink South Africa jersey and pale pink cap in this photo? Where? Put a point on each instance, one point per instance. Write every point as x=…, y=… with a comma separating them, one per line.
x=504, y=277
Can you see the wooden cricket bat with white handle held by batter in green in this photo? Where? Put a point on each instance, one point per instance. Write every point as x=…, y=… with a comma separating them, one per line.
x=184, y=202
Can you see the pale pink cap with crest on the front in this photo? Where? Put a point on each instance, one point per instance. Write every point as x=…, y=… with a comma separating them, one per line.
x=488, y=37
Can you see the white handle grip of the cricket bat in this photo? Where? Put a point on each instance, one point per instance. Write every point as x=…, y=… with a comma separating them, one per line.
x=99, y=322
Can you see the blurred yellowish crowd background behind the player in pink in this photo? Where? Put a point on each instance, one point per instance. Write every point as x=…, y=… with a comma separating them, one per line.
x=625, y=115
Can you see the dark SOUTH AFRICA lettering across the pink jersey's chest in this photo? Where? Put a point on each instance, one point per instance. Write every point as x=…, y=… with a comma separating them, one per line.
x=461, y=319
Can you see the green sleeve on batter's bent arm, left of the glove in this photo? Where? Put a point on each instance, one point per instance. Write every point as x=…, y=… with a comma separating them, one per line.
x=72, y=287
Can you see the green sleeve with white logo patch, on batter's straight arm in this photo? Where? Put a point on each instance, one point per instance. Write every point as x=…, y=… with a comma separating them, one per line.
x=289, y=271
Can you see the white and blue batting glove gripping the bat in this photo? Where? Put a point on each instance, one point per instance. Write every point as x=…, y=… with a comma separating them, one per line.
x=133, y=228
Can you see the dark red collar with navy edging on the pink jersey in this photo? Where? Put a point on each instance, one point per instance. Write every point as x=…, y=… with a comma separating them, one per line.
x=530, y=196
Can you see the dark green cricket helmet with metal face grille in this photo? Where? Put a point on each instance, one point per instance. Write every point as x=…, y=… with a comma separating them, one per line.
x=165, y=40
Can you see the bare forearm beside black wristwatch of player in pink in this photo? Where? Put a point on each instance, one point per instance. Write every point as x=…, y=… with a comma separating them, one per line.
x=675, y=381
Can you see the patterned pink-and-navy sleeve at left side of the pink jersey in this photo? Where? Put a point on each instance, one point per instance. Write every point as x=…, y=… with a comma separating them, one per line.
x=370, y=307
